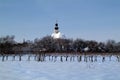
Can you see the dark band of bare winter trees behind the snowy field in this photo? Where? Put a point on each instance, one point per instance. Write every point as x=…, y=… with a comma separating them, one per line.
x=8, y=45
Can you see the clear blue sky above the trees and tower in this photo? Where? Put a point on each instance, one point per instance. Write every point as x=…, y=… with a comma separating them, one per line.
x=87, y=19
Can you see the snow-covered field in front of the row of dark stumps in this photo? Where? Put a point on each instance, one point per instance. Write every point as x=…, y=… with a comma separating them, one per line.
x=57, y=70
